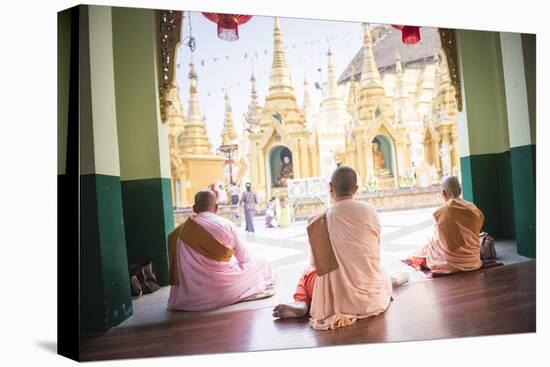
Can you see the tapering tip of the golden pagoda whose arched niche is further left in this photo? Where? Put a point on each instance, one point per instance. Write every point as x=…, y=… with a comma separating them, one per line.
x=279, y=78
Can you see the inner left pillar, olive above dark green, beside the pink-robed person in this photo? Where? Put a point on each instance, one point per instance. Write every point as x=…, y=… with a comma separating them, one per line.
x=142, y=140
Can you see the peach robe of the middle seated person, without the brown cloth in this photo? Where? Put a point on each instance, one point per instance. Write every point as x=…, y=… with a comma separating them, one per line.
x=359, y=288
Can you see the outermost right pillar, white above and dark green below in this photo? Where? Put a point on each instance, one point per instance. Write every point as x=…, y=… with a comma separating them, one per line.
x=519, y=65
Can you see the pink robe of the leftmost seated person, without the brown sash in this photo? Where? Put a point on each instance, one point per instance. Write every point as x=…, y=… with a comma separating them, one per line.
x=206, y=284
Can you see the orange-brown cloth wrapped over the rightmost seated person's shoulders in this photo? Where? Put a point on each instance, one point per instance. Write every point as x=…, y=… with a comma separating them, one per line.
x=455, y=212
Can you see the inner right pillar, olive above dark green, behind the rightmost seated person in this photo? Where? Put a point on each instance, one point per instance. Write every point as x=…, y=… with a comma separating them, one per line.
x=483, y=128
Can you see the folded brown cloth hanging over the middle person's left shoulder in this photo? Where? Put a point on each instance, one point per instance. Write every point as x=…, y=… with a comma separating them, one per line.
x=321, y=247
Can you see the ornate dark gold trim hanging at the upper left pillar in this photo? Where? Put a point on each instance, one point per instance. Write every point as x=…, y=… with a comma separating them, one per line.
x=169, y=23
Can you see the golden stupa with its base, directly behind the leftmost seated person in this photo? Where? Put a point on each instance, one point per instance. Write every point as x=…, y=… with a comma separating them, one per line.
x=196, y=166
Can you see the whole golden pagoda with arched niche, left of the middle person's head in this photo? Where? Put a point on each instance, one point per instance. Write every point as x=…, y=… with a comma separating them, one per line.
x=281, y=149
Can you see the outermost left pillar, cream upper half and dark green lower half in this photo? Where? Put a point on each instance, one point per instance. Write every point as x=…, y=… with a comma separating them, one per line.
x=105, y=299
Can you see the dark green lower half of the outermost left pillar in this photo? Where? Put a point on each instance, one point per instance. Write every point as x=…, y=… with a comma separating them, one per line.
x=105, y=298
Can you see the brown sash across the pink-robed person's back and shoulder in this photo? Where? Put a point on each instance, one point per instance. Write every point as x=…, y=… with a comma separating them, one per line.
x=197, y=238
